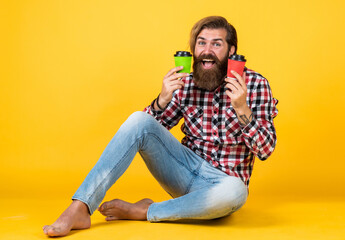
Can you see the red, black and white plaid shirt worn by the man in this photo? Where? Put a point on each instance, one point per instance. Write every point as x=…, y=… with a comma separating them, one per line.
x=212, y=129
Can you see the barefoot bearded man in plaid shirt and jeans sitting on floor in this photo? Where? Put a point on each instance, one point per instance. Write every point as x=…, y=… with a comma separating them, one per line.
x=227, y=123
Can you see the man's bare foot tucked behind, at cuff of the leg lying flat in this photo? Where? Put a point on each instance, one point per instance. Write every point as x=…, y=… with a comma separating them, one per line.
x=117, y=209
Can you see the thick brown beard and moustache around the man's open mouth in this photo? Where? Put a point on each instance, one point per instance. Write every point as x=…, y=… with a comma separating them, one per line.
x=209, y=79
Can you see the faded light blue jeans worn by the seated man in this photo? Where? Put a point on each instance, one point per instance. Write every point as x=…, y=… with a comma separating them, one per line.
x=199, y=190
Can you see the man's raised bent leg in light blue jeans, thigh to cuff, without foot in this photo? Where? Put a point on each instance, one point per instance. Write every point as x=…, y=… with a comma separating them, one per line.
x=161, y=151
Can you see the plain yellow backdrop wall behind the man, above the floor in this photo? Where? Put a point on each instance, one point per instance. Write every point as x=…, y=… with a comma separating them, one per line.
x=72, y=71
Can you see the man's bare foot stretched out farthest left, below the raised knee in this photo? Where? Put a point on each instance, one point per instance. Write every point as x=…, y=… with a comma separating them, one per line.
x=76, y=216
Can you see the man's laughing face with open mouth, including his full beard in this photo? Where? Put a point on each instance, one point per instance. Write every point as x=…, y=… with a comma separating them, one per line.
x=210, y=58
